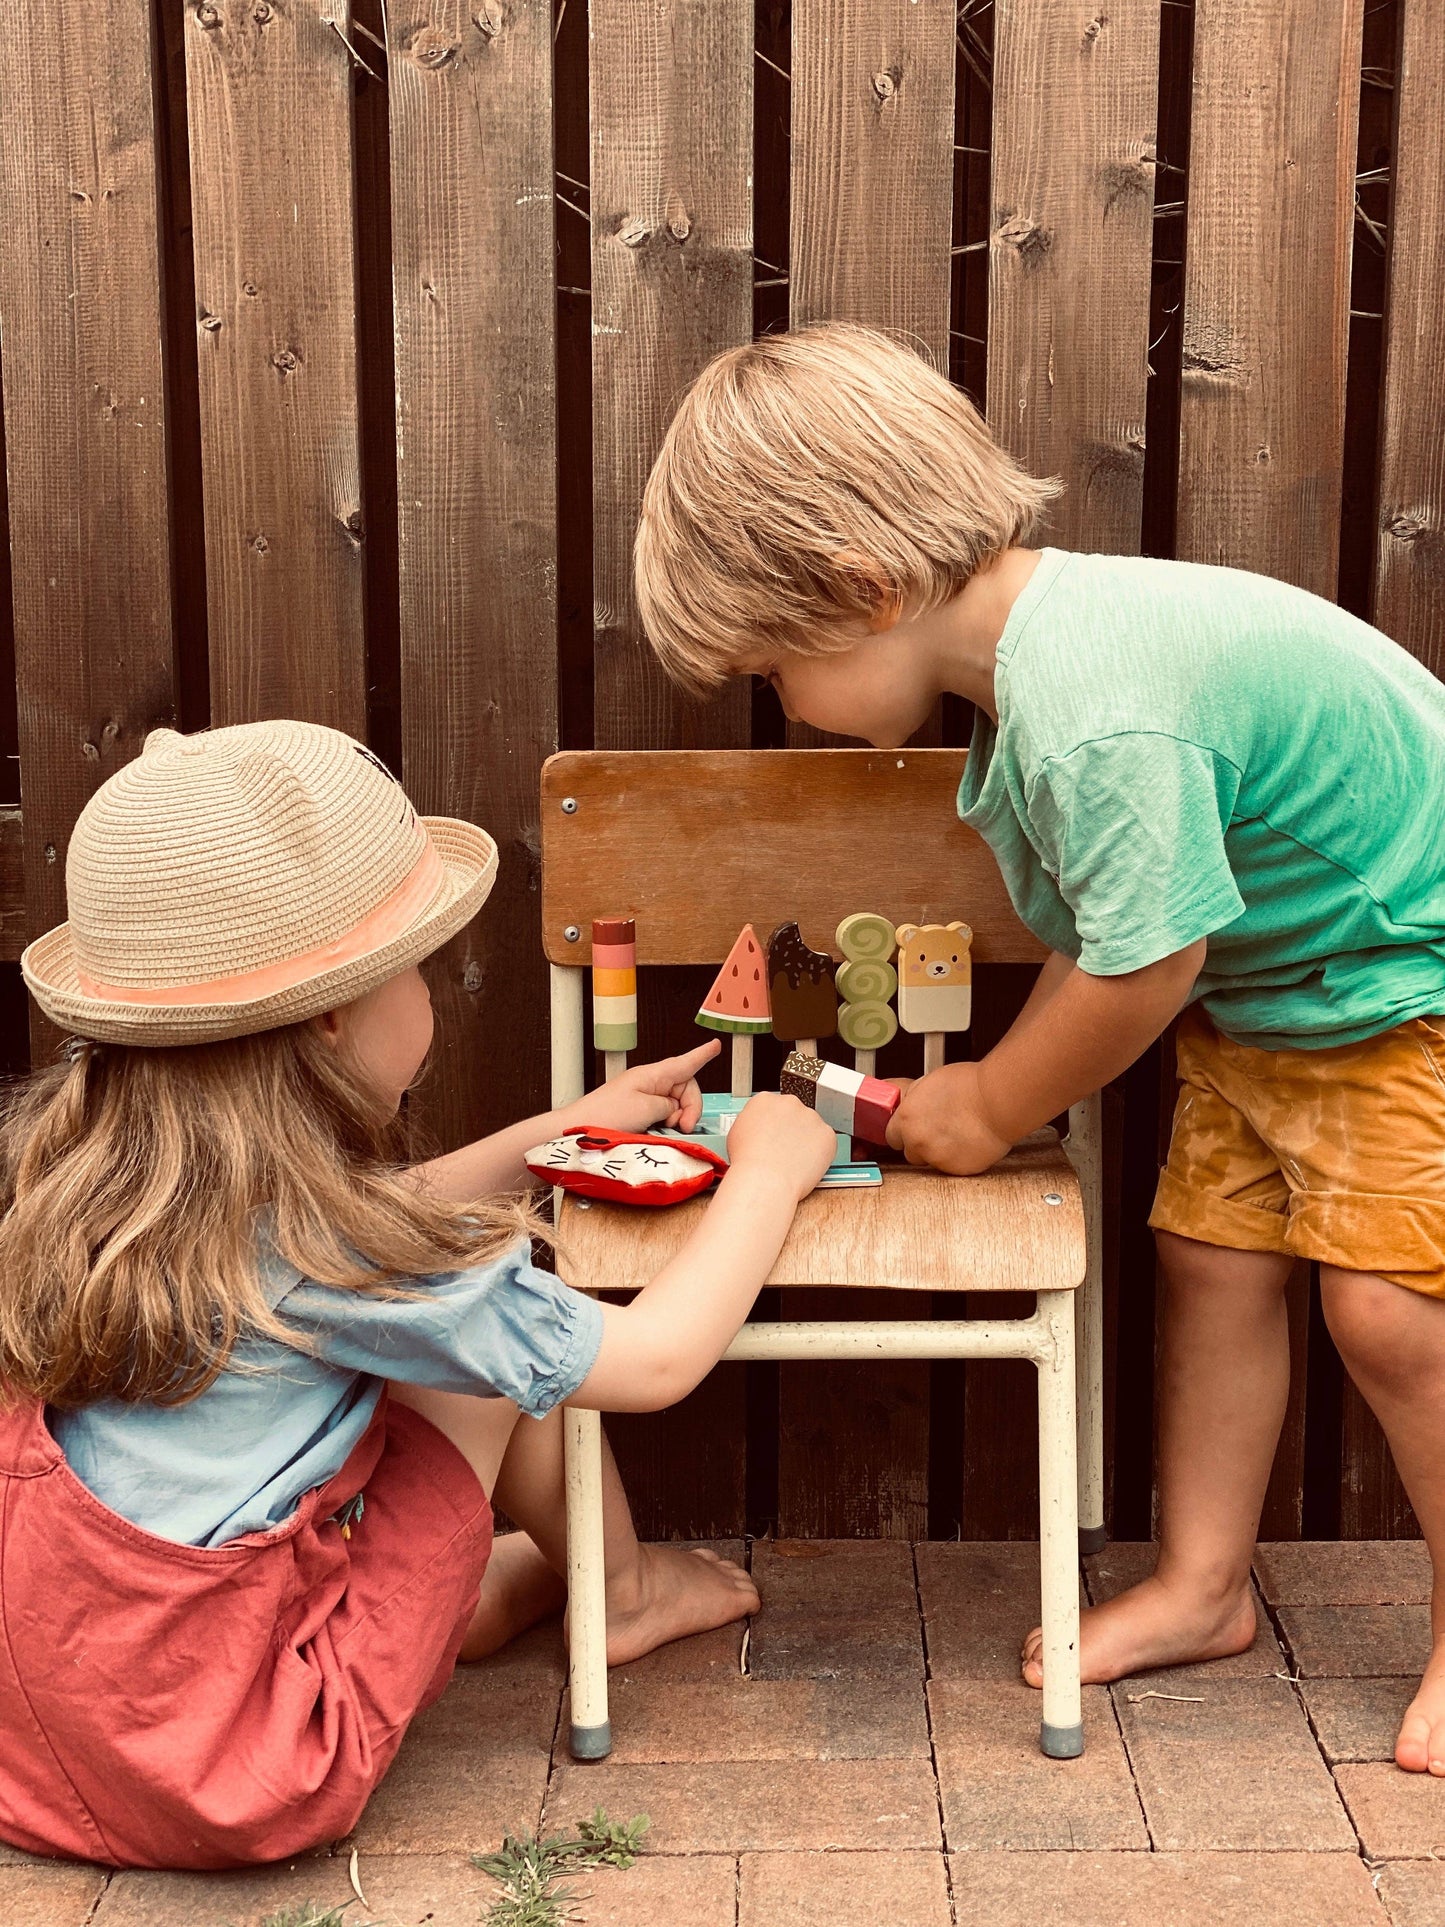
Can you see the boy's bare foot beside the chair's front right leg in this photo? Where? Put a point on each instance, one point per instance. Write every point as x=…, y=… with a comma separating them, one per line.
x=1155, y=1625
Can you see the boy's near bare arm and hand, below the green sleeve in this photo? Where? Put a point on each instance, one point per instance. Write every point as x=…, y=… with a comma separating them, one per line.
x=966, y=1117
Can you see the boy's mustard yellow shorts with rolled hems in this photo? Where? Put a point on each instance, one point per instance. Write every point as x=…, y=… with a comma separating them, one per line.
x=1334, y=1155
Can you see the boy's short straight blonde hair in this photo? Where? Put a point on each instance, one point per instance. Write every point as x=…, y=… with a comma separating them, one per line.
x=806, y=483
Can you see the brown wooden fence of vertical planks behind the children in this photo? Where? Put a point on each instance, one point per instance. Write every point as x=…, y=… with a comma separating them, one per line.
x=338, y=340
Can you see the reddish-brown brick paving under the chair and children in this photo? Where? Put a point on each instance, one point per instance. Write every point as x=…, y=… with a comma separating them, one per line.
x=868, y=1758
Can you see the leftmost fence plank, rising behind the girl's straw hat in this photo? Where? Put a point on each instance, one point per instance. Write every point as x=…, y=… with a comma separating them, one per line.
x=86, y=413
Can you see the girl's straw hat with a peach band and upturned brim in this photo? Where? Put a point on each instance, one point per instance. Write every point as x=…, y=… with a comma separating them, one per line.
x=248, y=878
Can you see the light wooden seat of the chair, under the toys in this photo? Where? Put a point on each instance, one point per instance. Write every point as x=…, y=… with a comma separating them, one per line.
x=1014, y=1228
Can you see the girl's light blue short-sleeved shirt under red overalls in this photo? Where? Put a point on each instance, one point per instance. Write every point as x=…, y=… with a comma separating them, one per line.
x=280, y=1423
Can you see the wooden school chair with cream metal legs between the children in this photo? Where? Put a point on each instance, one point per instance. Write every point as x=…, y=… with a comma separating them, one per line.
x=695, y=843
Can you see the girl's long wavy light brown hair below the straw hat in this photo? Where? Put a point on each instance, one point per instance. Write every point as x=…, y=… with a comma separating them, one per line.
x=136, y=1186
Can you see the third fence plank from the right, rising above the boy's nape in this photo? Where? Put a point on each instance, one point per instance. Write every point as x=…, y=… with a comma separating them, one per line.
x=1076, y=111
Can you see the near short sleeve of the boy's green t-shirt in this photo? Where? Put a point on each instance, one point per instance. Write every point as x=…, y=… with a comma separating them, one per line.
x=1134, y=828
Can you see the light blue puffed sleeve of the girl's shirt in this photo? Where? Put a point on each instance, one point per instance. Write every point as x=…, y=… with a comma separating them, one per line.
x=502, y=1331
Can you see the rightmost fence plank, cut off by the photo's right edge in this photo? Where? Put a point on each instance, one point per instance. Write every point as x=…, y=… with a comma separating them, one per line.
x=1411, y=564
